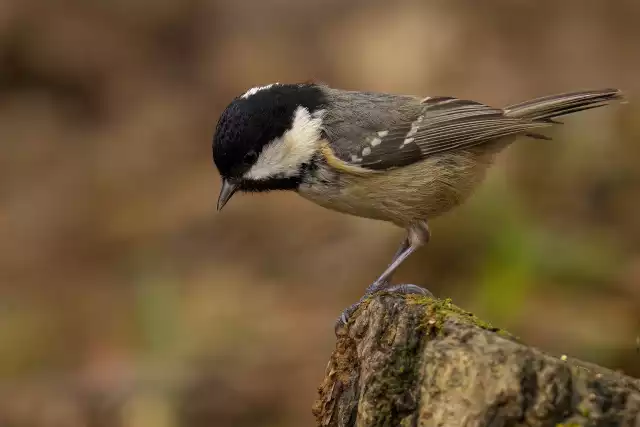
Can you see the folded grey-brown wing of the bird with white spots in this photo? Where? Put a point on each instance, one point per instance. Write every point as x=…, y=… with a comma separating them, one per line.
x=436, y=125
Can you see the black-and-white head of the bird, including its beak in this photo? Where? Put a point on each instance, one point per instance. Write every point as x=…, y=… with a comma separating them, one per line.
x=267, y=137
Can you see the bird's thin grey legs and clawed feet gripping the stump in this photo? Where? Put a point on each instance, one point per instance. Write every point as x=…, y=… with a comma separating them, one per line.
x=417, y=236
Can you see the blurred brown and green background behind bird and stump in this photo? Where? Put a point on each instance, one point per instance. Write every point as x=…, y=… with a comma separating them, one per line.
x=126, y=300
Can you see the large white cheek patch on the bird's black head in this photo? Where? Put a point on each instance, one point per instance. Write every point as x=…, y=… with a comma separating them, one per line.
x=283, y=156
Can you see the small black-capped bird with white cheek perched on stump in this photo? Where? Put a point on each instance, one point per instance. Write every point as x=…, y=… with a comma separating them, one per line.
x=402, y=159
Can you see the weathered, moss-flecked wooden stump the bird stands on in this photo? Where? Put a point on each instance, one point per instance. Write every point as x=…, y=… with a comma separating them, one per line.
x=415, y=361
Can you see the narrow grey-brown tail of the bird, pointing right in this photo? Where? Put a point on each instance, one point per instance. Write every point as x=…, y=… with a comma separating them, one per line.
x=548, y=107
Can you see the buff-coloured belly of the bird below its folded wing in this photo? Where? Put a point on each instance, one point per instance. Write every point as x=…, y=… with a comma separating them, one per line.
x=420, y=191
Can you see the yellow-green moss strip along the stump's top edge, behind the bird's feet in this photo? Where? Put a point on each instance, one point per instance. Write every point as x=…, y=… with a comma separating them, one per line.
x=437, y=311
